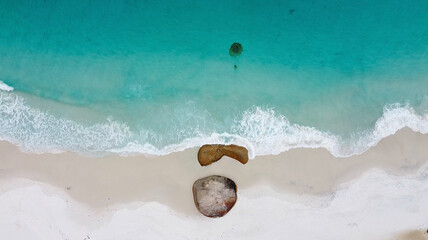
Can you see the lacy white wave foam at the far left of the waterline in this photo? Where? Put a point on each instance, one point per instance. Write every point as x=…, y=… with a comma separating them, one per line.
x=37, y=131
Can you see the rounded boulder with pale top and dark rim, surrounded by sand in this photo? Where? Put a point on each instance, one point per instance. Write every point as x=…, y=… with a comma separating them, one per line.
x=214, y=196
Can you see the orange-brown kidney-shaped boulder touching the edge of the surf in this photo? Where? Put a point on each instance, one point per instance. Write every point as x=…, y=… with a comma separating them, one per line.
x=208, y=154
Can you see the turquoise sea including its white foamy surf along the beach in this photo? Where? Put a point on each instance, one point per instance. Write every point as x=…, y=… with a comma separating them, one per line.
x=155, y=77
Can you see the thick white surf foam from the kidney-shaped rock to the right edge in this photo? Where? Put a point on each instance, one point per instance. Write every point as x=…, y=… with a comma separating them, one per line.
x=271, y=133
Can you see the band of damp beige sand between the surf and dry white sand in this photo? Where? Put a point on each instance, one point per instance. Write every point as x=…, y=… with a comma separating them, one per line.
x=310, y=177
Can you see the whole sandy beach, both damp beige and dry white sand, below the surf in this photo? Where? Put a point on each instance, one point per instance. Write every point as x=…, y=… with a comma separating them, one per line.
x=299, y=194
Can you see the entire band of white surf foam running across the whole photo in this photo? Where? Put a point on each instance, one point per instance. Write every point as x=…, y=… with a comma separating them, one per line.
x=261, y=131
